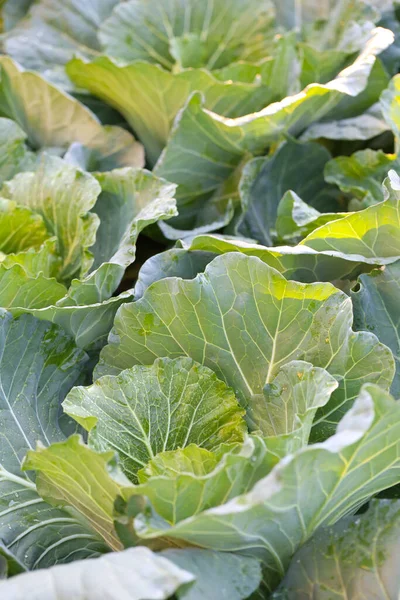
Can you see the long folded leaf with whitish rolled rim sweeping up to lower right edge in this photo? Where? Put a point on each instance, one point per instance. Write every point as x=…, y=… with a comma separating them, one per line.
x=314, y=487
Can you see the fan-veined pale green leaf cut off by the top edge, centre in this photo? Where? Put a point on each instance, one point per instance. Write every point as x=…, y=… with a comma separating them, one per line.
x=188, y=34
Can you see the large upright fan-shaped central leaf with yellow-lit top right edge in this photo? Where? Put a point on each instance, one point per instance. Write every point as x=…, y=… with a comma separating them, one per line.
x=245, y=321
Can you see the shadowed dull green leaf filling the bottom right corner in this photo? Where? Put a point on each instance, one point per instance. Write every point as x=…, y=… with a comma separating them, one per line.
x=354, y=559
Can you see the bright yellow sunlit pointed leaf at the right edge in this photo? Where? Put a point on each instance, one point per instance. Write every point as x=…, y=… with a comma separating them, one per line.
x=372, y=233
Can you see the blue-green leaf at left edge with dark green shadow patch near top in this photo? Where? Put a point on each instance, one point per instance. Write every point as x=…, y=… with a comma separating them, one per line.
x=39, y=364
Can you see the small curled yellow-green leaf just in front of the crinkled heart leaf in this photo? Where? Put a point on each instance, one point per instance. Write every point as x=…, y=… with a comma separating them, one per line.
x=183, y=483
